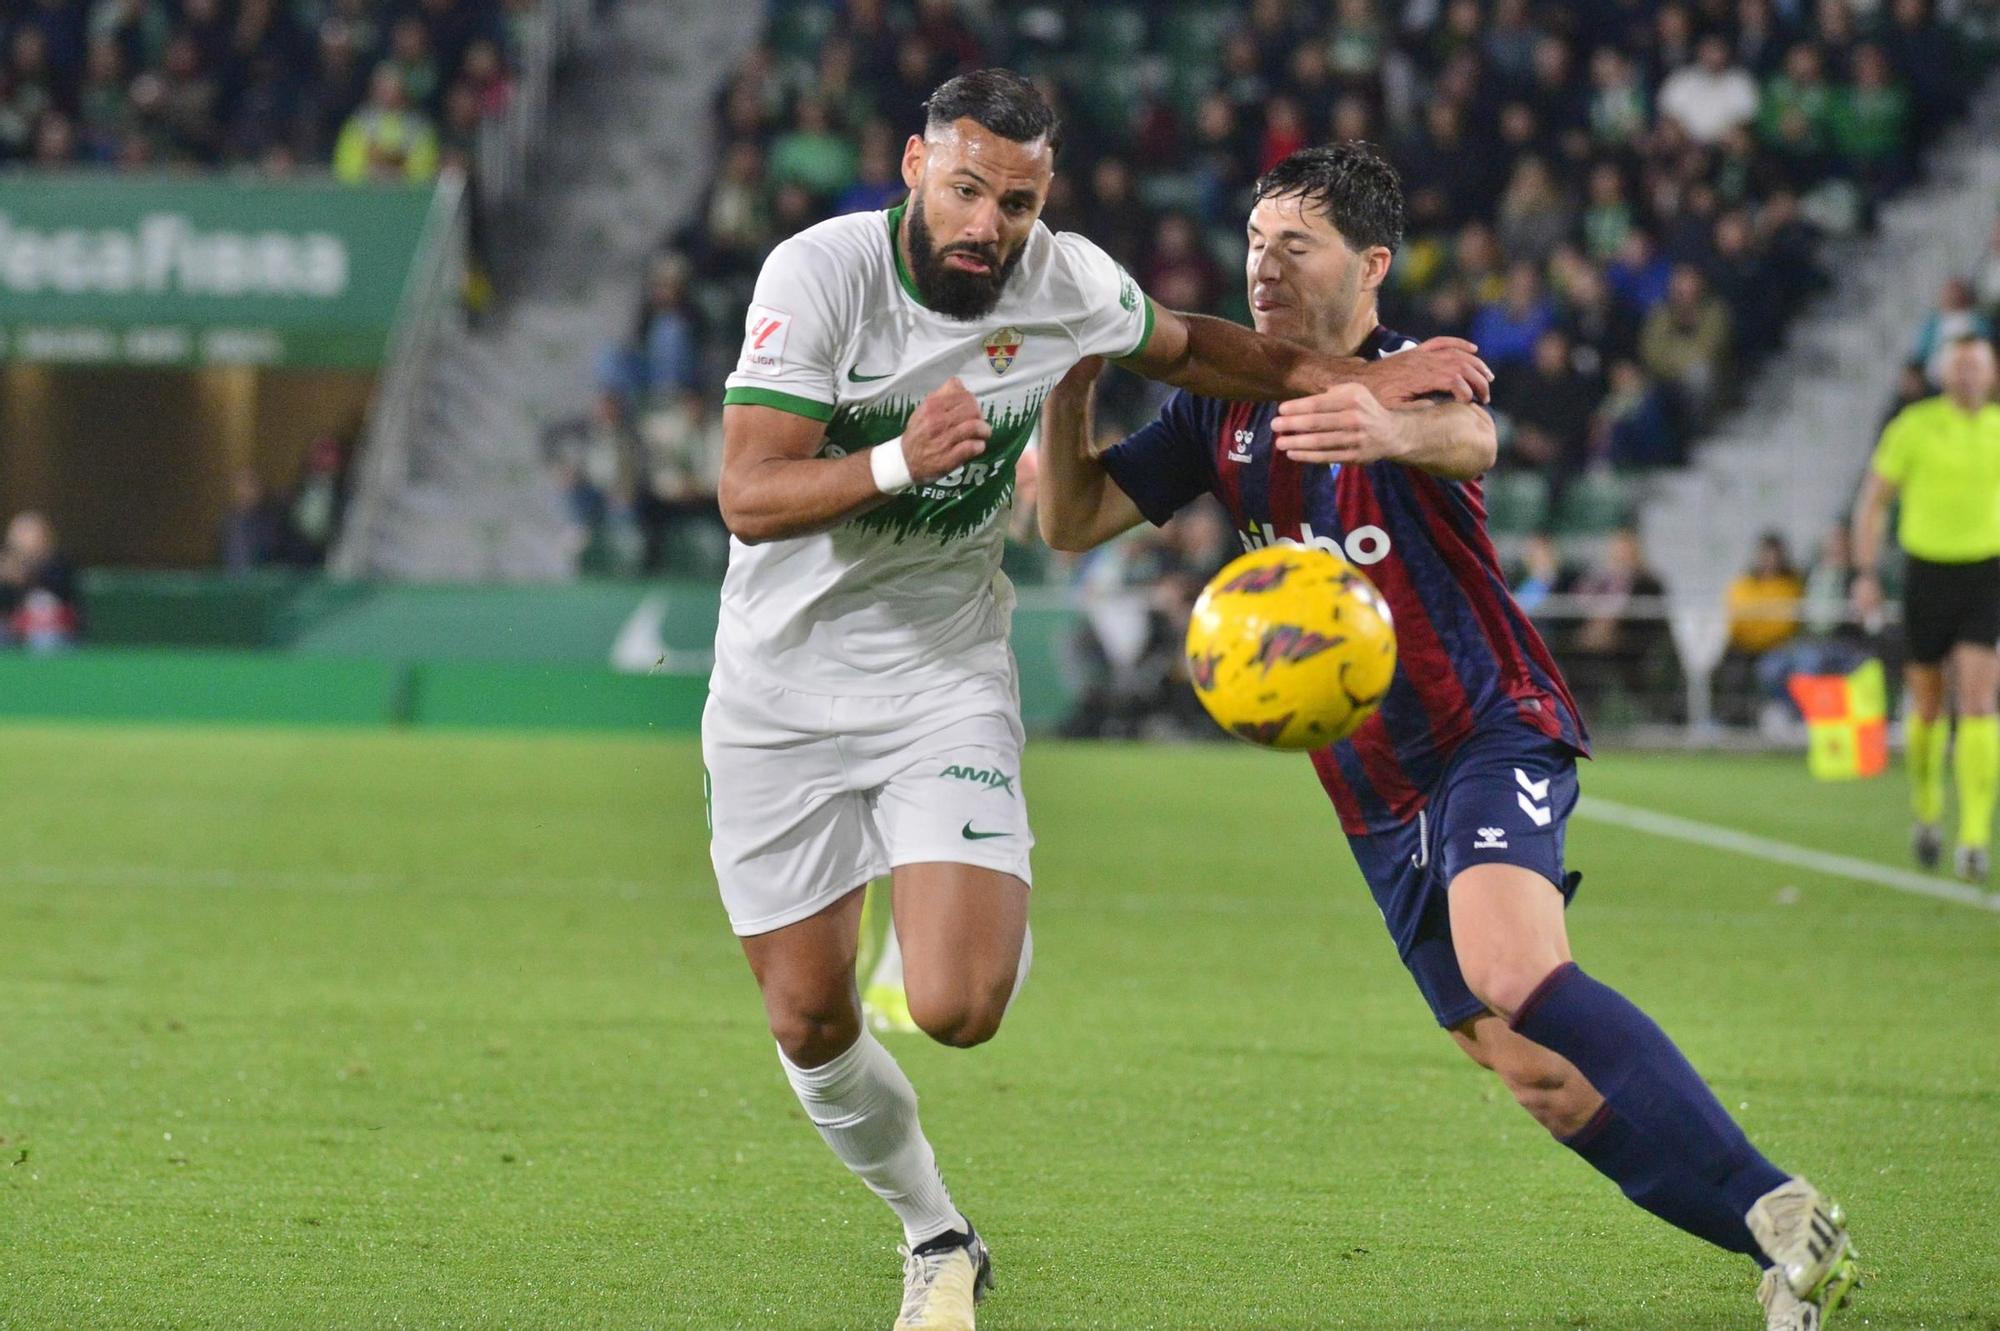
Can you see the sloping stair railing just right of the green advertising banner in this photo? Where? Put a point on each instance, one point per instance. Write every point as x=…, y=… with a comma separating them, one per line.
x=427, y=313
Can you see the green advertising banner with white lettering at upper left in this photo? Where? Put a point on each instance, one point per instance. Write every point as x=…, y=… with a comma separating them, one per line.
x=203, y=271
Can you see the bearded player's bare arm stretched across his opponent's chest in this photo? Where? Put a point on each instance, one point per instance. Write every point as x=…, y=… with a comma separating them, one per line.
x=1227, y=361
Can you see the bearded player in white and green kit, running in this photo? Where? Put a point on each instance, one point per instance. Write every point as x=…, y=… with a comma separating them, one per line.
x=863, y=714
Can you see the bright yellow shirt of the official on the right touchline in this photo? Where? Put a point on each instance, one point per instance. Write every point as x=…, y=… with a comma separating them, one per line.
x=1947, y=469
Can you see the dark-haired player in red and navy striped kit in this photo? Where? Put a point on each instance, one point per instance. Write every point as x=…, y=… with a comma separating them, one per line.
x=1455, y=796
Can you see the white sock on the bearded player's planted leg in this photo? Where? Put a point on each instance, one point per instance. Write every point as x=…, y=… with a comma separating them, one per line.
x=867, y=1110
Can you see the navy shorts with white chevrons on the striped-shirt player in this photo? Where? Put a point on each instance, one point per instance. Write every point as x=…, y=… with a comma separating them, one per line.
x=1505, y=798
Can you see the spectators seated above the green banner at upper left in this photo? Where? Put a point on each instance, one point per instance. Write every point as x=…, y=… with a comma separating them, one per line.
x=377, y=89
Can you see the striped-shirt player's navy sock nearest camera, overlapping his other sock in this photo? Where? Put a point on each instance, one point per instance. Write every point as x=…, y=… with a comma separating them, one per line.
x=1647, y=1082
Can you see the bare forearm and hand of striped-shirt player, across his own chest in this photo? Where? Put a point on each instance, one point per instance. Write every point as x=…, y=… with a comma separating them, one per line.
x=1349, y=425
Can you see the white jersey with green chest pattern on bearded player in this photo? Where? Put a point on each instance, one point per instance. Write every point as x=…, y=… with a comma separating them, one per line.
x=909, y=595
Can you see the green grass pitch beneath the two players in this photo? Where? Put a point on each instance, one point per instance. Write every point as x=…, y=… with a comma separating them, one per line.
x=387, y=1030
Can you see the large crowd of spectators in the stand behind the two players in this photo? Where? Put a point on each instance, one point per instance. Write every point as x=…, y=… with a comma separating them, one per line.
x=1619, y=203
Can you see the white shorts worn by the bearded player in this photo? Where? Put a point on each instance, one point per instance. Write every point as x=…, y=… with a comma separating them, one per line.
x=811, y=796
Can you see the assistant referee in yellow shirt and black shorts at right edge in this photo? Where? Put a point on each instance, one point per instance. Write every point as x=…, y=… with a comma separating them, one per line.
x=1941, y=457
